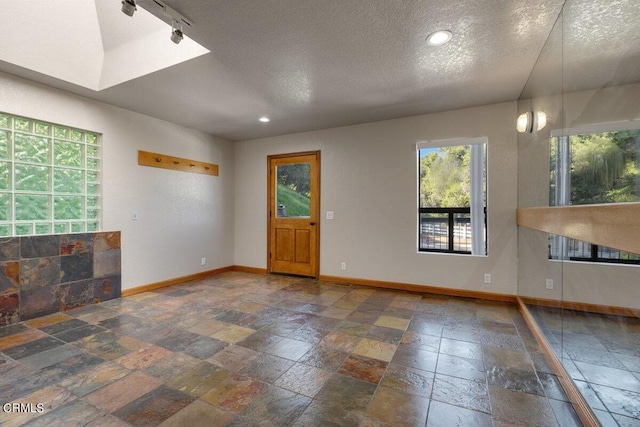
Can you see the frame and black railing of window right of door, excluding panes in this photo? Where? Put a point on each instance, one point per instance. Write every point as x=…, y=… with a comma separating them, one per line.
x=479, y=197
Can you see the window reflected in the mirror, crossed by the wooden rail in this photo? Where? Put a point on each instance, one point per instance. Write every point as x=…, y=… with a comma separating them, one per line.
x=592, y=166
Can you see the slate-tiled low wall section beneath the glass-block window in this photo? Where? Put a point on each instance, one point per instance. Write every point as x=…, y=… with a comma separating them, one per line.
x=40, y=275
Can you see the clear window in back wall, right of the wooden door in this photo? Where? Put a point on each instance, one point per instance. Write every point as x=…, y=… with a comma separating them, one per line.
x=452, y=196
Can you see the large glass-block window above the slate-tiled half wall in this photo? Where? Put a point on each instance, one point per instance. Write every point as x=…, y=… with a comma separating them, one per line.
x=49, y=178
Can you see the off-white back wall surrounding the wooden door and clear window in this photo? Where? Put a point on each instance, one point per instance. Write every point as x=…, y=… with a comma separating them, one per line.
x=369, y=179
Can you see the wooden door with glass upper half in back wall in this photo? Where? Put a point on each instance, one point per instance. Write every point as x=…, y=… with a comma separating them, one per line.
x=293, y=212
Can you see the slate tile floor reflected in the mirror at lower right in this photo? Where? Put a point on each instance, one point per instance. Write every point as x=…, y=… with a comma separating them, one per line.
x=602, y=355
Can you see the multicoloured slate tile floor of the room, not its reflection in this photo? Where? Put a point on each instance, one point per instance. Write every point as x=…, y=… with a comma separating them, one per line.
x=247, y=350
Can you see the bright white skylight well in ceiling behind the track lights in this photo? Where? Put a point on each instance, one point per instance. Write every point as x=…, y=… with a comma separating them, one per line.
x=90, y=43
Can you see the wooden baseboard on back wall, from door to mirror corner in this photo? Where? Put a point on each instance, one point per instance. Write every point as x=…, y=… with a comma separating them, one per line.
x=422, y=289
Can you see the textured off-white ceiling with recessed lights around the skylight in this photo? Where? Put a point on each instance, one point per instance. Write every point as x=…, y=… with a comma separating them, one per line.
x=311, y=64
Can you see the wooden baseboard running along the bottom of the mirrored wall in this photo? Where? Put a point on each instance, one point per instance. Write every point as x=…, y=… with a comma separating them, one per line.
x=575, y=397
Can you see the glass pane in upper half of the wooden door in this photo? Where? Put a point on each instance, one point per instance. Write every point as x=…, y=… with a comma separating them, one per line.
x=293, y=190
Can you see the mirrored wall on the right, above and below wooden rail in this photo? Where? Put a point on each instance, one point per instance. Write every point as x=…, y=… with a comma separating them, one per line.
x=584, y=150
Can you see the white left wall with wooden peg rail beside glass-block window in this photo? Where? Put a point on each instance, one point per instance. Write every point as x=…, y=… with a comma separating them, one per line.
x=183, y=217
